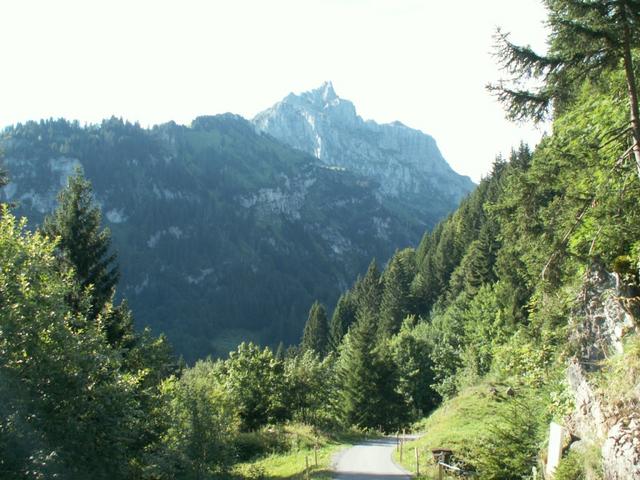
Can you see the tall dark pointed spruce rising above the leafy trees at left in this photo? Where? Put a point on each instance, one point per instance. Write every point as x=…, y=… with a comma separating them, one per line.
x=83, y=243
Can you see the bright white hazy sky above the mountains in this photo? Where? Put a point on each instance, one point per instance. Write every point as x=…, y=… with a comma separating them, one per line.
x=422, y=62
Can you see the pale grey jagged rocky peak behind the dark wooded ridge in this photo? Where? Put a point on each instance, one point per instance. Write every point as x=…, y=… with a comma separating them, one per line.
x=406, y=163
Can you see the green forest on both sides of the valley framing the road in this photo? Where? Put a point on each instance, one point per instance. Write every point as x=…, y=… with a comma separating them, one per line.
x=493, y=296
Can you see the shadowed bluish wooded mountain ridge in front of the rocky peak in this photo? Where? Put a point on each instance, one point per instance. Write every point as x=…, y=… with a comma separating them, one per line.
x=223, y=234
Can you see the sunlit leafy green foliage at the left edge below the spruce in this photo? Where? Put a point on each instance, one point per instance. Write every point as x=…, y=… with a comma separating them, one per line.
x=68, y=409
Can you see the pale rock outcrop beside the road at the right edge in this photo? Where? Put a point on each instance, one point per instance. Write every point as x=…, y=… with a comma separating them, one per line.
x=599, y=418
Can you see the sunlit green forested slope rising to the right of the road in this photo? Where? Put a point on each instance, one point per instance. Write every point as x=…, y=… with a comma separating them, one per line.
x=528, y=294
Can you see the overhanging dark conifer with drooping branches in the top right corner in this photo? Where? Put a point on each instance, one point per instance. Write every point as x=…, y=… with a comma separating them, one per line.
x=586, y=39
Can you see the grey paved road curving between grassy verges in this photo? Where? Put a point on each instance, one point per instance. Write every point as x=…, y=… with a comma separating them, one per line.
x=369, y=461
